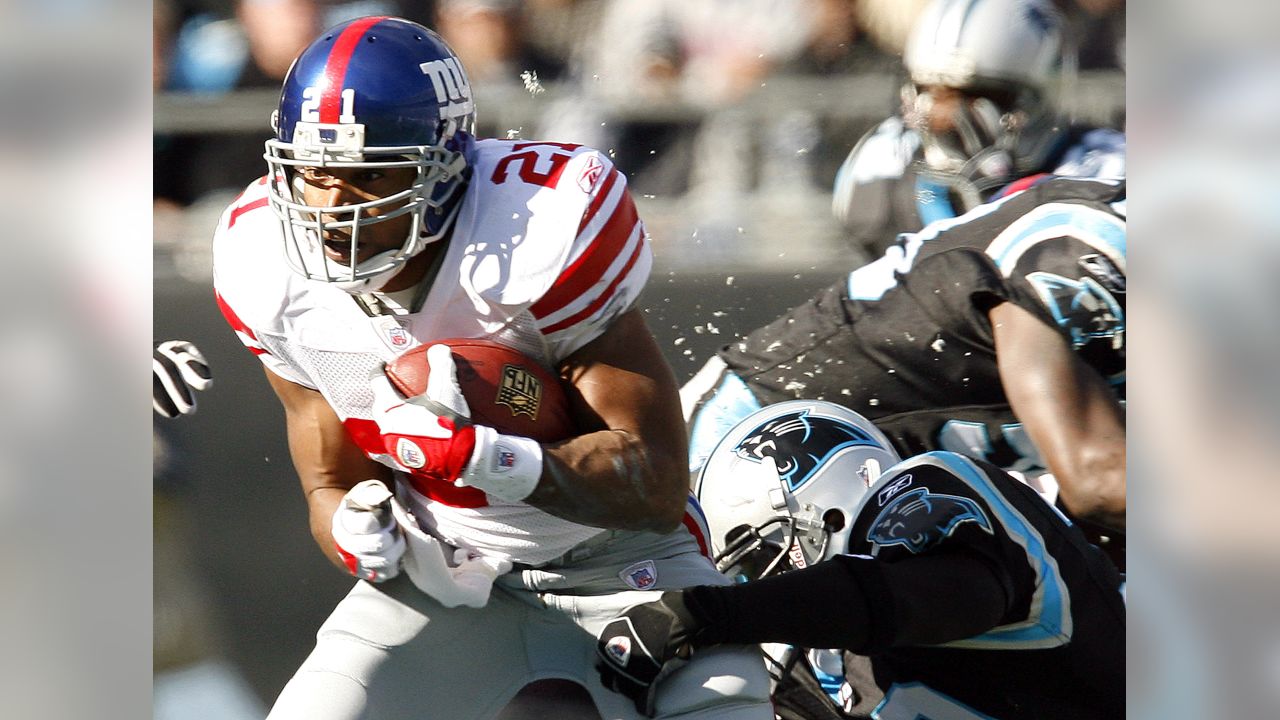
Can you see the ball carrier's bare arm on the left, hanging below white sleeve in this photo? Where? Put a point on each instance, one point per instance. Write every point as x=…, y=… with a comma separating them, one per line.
x=327, y=461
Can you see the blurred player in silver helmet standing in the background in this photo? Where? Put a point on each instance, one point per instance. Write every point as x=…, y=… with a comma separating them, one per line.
x=976, y=117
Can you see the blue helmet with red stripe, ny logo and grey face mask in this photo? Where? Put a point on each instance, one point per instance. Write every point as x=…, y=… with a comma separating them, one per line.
x=372, y=93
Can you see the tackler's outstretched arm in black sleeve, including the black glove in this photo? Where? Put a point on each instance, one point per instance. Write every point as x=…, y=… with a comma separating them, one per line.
x=853, y=603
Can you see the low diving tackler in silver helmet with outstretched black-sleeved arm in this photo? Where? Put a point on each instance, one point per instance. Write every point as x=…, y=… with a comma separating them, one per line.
x=971, y=595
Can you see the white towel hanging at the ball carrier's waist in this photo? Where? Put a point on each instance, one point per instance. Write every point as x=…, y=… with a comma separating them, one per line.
x=469, y=582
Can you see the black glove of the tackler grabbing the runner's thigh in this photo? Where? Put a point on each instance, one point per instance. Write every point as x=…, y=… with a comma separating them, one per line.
x=644, y=645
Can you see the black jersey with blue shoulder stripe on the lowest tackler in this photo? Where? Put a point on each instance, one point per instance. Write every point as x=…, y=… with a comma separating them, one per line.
x=1059, y=651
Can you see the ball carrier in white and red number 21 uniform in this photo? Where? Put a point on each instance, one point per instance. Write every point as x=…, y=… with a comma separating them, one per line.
x=486, y=560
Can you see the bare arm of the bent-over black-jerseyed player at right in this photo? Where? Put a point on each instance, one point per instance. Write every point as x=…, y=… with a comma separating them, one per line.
x=1069, y=412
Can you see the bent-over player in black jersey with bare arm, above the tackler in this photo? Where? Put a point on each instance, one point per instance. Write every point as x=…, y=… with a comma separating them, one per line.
x=999, y=335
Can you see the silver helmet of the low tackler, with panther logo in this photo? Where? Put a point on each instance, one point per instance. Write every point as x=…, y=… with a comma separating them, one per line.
x=781, y=486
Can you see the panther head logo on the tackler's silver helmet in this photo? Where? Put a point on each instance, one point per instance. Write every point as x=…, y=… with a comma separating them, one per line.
x=799, y=444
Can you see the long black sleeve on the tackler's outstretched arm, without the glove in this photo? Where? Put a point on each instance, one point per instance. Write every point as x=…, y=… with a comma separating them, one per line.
x=857, y=604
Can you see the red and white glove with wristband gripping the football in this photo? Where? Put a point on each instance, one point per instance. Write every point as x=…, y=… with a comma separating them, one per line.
x=433, y=436
